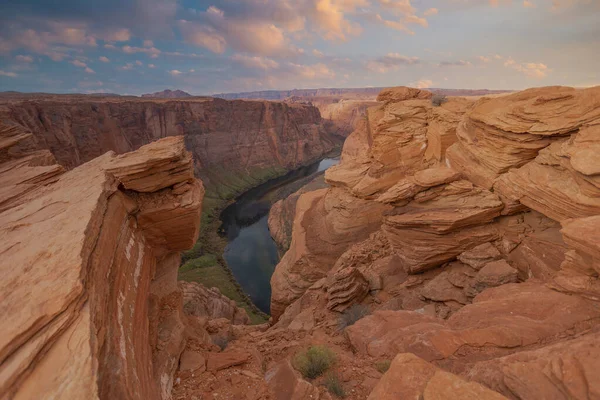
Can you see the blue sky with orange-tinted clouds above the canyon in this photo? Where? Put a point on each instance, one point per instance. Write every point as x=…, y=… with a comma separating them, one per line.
x=206, y=47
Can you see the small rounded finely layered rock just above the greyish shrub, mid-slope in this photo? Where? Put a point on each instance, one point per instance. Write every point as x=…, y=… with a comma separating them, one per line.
x=347, y=287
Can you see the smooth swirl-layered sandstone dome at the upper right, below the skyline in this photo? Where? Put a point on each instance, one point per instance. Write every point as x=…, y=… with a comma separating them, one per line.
x=508, y=131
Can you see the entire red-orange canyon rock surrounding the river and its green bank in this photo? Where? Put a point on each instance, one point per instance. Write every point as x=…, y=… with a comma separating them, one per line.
x=453, y=253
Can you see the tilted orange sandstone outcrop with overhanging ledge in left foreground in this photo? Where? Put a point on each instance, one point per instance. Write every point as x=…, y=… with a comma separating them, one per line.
x=89, y=260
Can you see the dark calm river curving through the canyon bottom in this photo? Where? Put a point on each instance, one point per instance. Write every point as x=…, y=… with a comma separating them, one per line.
x=251, y=253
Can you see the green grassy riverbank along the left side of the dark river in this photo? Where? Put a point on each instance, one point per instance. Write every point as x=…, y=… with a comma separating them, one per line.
x=205, y=263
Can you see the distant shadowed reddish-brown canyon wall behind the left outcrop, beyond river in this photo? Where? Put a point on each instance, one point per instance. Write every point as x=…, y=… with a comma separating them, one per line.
x=235, y=144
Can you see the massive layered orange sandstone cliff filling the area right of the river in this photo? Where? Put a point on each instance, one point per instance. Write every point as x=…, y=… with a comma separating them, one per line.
x=470, y=234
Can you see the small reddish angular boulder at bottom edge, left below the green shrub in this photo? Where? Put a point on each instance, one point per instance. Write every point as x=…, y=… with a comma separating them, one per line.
x=285, y=383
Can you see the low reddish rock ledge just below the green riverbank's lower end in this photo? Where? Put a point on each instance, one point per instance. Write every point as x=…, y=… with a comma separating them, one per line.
x=202, y=302
